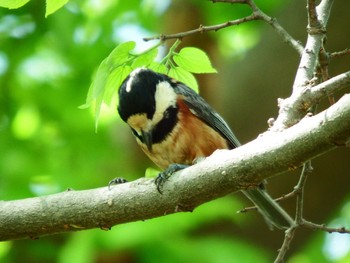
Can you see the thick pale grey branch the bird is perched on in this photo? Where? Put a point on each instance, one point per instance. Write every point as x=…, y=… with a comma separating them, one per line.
x=224, y=172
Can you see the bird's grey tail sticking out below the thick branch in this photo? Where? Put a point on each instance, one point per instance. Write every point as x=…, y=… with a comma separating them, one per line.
x=273, y=213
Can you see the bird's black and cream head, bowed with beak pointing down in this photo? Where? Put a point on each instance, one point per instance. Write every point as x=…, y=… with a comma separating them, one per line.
x=147, y=102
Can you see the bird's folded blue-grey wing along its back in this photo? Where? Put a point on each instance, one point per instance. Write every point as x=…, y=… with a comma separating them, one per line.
x=206, y=113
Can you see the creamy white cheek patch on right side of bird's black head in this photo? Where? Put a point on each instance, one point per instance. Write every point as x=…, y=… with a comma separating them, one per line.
x=165, y=97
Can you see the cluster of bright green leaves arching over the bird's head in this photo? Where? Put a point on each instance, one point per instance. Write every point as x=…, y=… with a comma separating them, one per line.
x=123, y=60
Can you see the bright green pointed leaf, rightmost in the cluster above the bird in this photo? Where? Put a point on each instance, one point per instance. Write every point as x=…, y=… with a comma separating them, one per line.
x=194, y=60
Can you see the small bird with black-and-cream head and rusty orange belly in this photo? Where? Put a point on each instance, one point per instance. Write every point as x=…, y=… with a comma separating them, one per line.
x=176, y=127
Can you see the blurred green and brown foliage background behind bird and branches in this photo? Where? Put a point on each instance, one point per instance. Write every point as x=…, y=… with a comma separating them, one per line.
x=48, y=145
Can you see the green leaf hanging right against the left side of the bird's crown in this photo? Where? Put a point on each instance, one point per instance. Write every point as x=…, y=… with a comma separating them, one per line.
x=114, y=81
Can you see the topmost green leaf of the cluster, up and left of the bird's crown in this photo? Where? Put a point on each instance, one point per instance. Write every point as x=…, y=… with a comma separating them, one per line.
x=121, y=54
